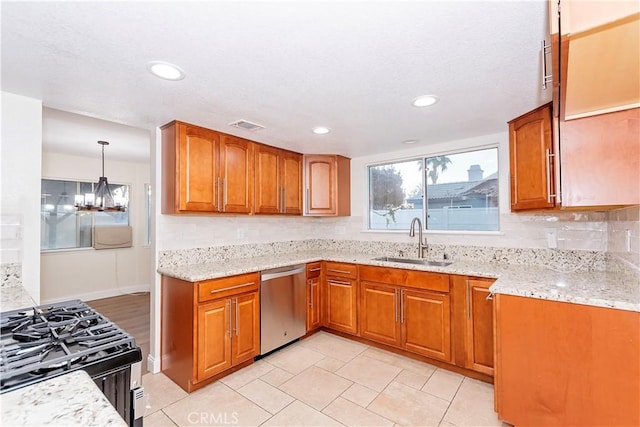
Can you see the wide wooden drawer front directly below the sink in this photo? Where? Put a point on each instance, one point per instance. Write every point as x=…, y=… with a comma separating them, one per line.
x=408, y=278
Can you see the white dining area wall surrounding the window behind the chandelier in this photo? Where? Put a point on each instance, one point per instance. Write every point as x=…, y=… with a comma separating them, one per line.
x=90, y=274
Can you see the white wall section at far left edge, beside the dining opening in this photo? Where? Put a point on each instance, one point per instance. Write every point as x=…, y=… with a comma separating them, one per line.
x=20, y=187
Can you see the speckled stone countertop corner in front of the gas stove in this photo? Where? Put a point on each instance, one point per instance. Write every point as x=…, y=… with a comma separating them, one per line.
x=67, y=400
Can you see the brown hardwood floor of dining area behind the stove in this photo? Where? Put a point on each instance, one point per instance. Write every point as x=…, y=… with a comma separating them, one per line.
x=131, y=313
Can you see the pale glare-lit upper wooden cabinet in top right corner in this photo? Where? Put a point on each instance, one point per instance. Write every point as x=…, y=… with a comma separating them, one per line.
x=600, y=56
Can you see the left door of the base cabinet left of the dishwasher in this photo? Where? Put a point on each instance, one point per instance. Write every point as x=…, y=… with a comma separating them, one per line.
x=214, y=338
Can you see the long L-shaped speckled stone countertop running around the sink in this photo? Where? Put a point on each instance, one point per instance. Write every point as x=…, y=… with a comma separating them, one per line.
x=619, y=290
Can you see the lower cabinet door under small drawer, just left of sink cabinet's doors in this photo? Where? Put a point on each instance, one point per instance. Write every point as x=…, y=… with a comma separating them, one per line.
x=341, y=305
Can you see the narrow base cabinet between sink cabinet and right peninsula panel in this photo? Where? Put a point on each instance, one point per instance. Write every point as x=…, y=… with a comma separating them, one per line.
x=472, y=316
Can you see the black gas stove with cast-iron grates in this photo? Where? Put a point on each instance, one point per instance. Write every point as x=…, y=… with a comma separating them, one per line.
x=38, y=343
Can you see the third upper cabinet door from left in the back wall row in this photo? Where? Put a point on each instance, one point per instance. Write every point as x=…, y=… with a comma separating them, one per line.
x=268, y=187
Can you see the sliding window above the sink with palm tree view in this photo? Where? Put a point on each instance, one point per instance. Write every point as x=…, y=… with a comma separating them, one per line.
x=456, y=191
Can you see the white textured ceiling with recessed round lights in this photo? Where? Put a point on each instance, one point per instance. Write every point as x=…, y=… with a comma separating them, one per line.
x=354, y=66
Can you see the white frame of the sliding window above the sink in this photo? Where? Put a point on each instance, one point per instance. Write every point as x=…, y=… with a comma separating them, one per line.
x=422, y=157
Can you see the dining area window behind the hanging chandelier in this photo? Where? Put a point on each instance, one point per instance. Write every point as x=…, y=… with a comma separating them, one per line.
x=61, y=227
